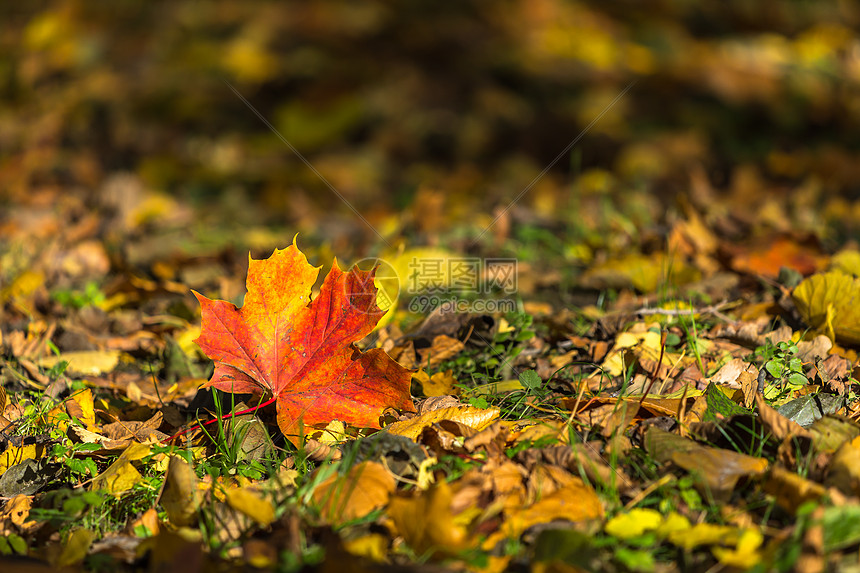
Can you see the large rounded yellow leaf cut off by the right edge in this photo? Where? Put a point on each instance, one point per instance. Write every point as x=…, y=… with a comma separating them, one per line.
x=831, y=300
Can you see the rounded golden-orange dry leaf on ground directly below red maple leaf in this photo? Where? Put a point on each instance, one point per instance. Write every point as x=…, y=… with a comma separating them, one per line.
x=365, y=487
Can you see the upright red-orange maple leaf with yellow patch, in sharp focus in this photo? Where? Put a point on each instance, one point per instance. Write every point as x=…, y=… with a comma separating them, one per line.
x=303, y=351
